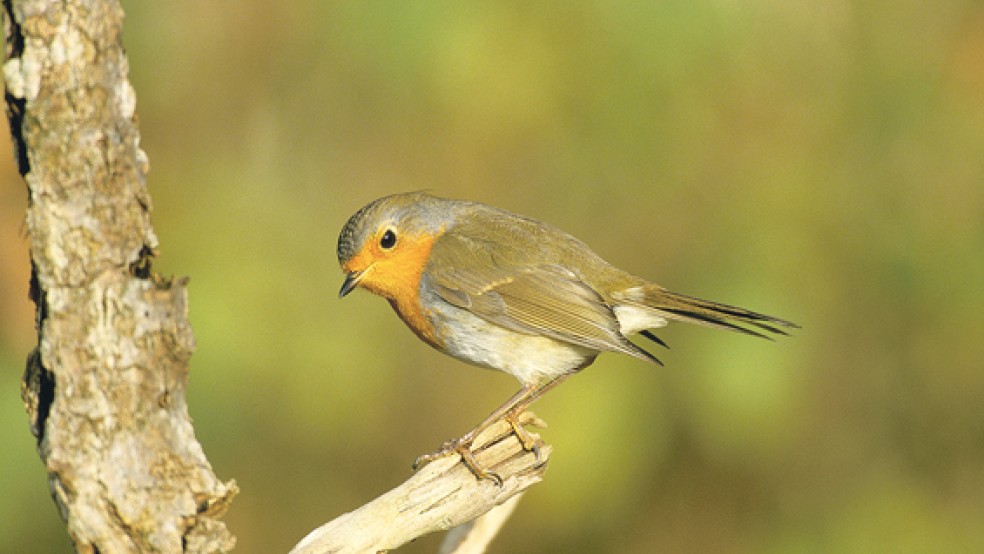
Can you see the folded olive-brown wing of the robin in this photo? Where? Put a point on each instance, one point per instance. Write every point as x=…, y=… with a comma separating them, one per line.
x=503, y=286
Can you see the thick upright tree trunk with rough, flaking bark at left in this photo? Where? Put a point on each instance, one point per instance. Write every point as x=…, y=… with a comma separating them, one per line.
x=105, y=388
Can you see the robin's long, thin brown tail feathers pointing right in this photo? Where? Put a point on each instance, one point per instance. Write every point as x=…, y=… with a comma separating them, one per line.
x=685, y=308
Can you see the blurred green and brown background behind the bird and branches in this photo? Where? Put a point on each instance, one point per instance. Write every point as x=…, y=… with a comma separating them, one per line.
x=819, y=161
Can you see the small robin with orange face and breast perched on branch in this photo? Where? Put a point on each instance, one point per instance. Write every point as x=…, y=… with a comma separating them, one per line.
x=511, y=293
